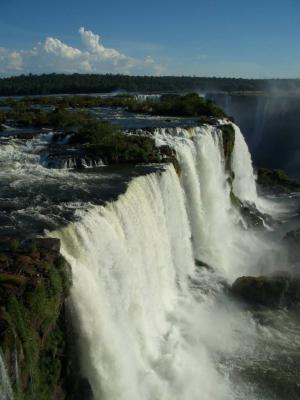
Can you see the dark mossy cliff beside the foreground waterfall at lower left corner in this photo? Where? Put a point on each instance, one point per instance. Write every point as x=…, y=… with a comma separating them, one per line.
x=34, y=281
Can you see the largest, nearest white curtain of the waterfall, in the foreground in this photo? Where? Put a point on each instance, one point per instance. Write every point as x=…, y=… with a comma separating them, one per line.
x=131, y=261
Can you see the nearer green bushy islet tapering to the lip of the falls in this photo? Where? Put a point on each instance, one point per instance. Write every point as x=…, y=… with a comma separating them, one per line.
x=96, y=137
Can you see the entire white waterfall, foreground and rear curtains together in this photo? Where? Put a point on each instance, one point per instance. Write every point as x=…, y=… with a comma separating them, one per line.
x=144, y=334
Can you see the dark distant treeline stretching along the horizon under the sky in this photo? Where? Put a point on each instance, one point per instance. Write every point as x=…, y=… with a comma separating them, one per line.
x=92, y=83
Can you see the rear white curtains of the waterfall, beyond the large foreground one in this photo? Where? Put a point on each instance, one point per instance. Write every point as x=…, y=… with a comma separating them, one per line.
x=216, y=235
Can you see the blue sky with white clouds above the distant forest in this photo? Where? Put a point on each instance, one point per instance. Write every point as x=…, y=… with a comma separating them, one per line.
x=206, y=38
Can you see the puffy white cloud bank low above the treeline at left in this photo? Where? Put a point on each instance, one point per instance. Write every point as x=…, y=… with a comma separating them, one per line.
x=55, y=56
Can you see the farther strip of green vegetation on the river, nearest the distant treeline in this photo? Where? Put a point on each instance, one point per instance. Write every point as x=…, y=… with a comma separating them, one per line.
x=29, y=111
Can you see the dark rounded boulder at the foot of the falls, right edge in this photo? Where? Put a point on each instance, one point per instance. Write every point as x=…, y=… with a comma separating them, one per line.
x=281, y=290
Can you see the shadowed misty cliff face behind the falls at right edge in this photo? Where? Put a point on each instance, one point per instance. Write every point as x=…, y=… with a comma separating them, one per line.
x=270, y=125
